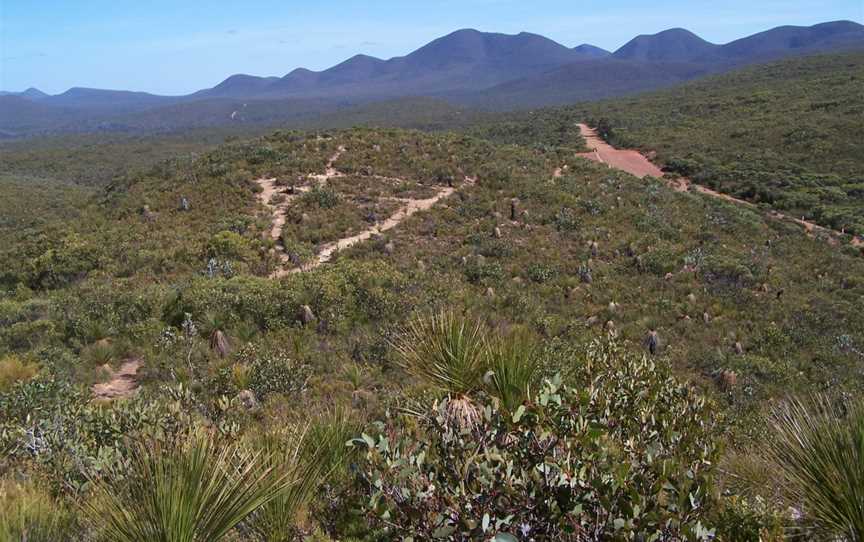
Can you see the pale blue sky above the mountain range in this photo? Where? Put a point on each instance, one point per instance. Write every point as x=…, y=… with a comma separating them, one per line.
x=179, y=46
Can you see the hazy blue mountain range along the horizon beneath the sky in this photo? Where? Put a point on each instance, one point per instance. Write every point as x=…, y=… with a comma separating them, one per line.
x=467, y=68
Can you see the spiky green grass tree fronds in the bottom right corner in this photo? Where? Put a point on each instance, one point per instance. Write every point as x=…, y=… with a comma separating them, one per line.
x=819, y=449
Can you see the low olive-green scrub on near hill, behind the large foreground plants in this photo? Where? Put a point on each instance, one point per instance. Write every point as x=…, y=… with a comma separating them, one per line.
x=626, y=251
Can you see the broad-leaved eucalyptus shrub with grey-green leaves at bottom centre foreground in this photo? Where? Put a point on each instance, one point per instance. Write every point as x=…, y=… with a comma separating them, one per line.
x=626, y=454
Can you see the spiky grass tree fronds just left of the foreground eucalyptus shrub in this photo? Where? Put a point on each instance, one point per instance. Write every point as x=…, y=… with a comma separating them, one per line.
x=310, y=460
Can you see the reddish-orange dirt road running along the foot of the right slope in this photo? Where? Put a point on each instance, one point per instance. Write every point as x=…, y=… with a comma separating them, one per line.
x=637, y=164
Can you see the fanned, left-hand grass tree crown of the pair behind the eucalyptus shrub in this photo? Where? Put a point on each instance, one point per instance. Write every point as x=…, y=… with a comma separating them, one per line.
x=445, y=351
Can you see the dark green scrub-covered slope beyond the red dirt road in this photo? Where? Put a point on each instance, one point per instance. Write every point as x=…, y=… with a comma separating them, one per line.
x=788, y=135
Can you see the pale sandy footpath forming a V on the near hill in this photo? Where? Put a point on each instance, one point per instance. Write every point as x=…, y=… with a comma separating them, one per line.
x=327, y=251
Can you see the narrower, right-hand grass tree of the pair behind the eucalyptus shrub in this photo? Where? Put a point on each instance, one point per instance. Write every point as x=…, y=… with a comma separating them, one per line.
x=514, y=369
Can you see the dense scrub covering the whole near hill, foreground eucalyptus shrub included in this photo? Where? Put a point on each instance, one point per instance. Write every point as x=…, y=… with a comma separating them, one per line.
x=713, y=310
